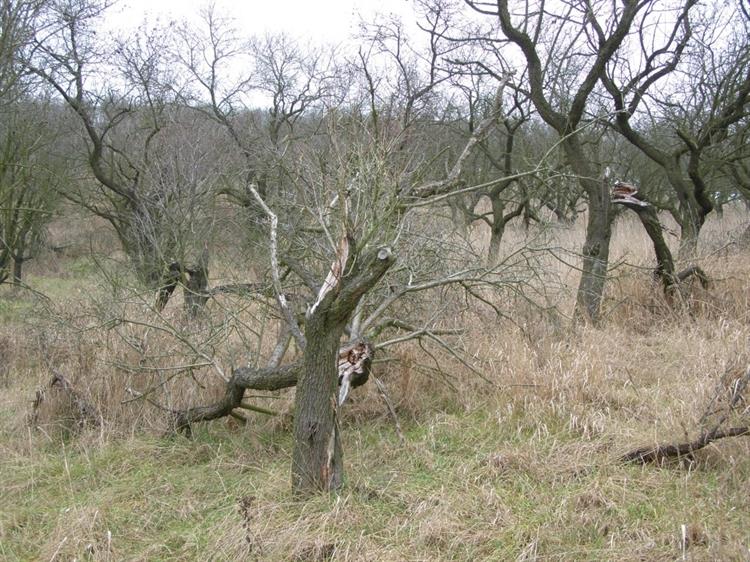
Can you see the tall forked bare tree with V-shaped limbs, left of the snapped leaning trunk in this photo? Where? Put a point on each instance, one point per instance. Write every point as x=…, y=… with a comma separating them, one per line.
x=567, y=48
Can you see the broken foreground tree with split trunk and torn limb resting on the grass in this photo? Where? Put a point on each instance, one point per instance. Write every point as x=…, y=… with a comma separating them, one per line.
x=347, y=210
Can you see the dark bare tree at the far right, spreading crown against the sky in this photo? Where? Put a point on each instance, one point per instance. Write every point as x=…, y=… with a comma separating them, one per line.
x=689, y=119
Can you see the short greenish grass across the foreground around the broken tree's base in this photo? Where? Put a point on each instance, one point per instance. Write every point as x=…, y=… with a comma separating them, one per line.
x=464, y=486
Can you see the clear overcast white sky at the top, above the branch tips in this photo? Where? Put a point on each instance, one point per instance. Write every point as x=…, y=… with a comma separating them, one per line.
x=330, y=21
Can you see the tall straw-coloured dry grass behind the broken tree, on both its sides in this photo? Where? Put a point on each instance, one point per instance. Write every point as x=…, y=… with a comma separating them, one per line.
x=115, y=349
